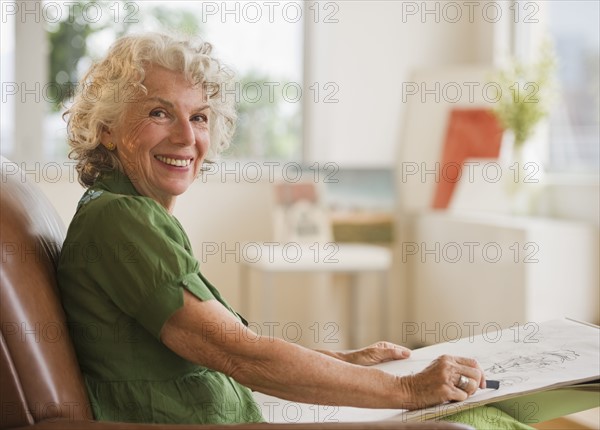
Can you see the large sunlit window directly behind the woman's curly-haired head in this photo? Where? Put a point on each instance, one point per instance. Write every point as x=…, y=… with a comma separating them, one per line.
x=262, y=44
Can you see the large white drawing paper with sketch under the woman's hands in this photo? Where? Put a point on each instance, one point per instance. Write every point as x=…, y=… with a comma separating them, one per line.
x=527, y=358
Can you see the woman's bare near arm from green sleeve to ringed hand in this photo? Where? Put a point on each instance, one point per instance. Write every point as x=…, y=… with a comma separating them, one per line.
x=206, y=333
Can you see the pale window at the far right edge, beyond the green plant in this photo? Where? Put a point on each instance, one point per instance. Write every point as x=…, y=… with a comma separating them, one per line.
x=574, y=132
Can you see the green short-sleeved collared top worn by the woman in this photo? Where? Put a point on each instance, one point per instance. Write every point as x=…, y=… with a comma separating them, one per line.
x=122, y=273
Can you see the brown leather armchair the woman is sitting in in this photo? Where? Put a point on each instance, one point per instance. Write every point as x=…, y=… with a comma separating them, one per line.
x=41, y=384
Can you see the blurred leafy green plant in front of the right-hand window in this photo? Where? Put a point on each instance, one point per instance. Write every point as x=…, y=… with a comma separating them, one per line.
x=526, y=94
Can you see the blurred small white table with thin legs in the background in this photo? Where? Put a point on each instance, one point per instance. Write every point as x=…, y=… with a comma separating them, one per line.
x=270, y=258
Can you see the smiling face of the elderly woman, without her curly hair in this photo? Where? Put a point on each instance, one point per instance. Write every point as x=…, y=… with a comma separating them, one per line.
x=163, y=137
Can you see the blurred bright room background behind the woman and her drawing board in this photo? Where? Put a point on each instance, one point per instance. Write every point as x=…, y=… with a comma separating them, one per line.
x=378, y=106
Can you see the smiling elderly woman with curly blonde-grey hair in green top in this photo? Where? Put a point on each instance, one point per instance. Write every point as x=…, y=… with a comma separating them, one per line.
x=155, y=340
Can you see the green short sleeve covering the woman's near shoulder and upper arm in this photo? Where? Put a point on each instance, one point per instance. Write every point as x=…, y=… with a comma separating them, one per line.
x=139, y=256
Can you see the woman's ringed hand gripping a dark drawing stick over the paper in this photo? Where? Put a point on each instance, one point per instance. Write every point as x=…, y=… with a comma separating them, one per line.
x=438, y=382
